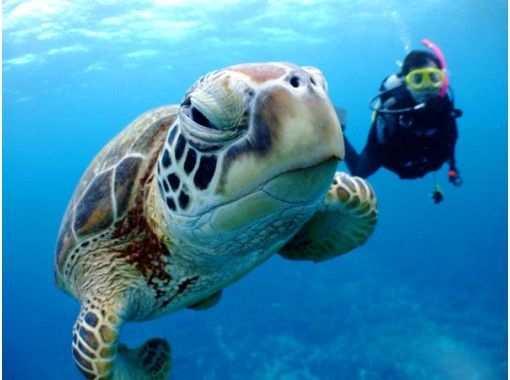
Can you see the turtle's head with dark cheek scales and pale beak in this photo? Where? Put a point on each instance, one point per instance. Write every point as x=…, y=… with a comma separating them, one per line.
x=250, y=143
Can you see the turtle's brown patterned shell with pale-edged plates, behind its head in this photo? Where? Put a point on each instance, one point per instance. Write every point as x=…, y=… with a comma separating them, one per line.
x=116, y=176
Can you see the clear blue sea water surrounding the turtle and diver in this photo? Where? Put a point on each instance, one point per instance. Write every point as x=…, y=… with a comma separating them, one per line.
x=425, y=298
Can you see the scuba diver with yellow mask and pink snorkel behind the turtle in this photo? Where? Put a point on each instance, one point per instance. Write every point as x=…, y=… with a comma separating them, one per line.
x=413, y=129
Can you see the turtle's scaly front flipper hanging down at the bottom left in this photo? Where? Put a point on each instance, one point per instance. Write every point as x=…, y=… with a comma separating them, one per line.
x=99, y=355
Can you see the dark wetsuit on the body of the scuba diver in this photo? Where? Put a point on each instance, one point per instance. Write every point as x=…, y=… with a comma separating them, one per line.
x=410, y=143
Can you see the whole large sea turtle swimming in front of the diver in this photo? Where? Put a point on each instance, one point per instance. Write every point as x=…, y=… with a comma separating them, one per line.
x=188, y=199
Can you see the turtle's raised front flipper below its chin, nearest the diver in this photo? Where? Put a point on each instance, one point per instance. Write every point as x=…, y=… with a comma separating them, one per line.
x=345, y=221
